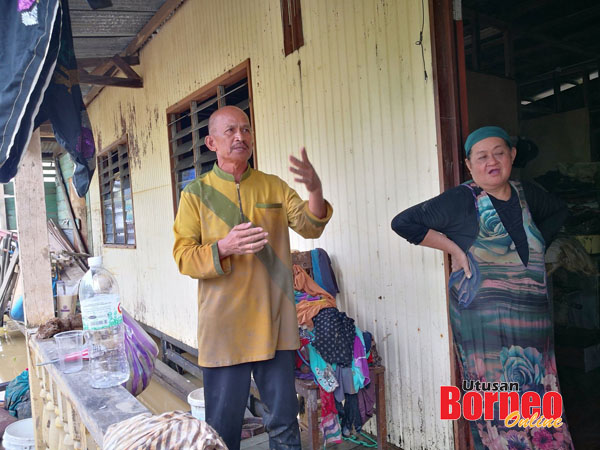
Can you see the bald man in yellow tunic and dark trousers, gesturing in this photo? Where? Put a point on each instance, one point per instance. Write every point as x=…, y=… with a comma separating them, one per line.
x=231, y=233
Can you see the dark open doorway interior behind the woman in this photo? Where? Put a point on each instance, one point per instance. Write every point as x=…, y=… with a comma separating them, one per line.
x=531, y=67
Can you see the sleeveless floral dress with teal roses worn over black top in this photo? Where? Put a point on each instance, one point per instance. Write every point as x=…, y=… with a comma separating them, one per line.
x=502, y=324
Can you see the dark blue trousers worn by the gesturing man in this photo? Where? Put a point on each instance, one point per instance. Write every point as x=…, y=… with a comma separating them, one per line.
x=226, y=391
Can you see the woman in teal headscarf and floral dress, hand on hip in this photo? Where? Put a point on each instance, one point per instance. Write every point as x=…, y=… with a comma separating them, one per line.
x=495, y=231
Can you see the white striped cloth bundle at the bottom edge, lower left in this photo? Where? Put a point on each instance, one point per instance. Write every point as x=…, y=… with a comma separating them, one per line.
x=175, y=430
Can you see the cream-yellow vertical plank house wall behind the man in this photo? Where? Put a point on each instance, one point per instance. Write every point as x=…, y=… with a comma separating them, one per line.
x=356, y=96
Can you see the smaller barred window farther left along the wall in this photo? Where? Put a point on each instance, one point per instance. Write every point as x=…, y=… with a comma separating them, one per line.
x=115, y=192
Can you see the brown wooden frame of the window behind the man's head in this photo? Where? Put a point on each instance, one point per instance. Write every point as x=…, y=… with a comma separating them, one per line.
x=199, y=96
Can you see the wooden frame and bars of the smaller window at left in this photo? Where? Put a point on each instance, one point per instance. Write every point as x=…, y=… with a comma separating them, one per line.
x=104, y=153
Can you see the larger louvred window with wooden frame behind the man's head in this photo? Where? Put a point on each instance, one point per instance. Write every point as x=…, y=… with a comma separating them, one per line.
x=188, y=125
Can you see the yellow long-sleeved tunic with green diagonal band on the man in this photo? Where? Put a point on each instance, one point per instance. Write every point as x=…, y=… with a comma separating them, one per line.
x=246, y=307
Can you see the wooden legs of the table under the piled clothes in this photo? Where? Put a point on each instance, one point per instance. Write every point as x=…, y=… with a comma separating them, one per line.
x=310, y=391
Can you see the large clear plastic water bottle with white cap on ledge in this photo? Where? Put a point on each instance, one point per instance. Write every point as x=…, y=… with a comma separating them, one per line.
x=103, y=326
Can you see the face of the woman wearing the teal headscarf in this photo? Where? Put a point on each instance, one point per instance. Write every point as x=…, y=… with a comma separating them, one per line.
x=490, y=162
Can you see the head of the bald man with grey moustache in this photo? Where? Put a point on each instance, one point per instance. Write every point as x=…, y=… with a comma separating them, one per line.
x=231, y=136
